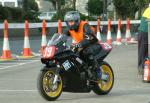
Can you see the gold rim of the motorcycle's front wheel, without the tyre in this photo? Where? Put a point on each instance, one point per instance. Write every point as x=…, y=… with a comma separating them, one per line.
x=47, y=84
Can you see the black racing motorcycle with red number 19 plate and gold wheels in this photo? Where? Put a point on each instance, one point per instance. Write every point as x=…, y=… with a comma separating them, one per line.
x=64, y=70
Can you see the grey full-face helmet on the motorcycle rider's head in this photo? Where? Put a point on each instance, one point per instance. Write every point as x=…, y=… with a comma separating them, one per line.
x=72, y=16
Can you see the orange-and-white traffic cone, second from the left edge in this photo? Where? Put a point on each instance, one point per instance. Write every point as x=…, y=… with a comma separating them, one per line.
x=26, y=50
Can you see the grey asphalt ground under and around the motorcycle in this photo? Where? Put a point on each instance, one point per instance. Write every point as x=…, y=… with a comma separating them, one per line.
x=18, y=81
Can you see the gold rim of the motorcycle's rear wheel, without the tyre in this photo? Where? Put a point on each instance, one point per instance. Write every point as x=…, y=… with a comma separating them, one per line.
x=106, y=85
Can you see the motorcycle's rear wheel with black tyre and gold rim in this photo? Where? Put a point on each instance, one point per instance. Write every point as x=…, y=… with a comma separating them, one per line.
x=103, y=87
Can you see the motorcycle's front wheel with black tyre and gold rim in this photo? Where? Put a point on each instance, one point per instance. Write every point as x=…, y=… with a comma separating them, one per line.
x=46, y=88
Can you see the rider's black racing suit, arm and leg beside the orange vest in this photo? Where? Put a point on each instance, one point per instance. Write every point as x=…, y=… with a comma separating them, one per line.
x=87, y=44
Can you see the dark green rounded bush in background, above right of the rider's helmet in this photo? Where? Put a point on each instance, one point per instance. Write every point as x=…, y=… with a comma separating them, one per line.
x=94, y=7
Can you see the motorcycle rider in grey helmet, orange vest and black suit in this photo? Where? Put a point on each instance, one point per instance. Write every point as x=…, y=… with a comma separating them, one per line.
x=83, y=37
